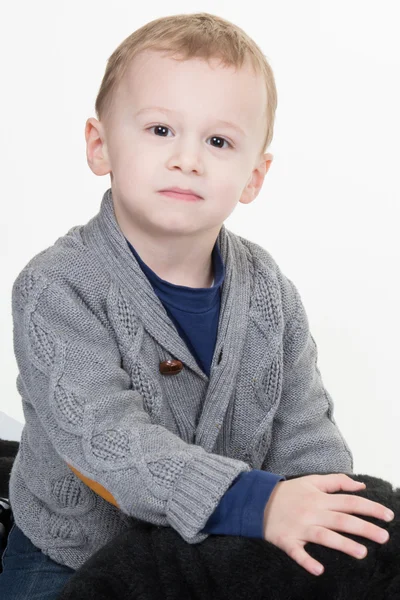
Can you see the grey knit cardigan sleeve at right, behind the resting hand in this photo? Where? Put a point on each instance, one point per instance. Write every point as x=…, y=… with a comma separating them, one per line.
x=305, y=436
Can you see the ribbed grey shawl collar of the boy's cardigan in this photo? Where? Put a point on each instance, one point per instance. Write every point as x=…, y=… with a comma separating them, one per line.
x=103, y=234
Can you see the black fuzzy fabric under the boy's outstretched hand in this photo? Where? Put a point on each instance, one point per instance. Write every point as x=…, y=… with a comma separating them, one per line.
x=149, y=562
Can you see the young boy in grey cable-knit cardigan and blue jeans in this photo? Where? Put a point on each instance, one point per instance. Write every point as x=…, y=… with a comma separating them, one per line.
x=166, y=367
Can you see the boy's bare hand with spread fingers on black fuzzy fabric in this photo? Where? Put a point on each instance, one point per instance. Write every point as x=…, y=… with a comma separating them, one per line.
x=302, y=510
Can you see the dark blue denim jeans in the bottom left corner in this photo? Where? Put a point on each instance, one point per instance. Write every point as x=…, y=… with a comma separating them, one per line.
x=28, y=574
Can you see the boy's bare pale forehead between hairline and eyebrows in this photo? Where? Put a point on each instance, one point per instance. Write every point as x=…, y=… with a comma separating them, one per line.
x=195, y=86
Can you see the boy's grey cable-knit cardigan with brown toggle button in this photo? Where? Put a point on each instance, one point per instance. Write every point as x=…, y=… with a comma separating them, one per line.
x=89, y=335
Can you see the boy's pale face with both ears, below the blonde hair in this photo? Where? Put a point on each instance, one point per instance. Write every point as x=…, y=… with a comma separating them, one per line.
x=188, y=150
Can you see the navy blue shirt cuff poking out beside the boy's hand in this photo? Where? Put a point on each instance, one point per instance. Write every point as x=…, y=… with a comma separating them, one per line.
x=241, y=509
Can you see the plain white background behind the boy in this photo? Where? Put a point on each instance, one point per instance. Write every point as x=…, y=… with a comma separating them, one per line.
x=329, y=208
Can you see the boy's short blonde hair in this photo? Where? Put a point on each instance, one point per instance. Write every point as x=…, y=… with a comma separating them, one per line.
x=196, y=35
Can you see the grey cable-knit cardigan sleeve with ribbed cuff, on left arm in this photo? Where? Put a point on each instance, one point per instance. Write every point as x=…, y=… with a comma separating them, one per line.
x=70, y=372
